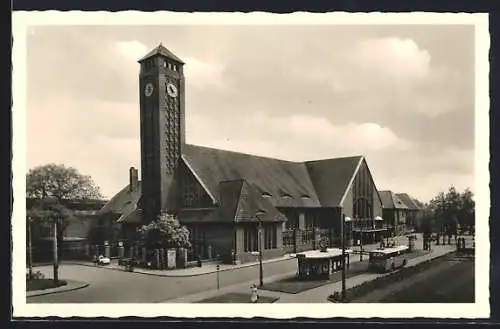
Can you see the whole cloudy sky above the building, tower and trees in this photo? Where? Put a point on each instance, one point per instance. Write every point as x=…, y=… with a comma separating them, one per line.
x=402, y=96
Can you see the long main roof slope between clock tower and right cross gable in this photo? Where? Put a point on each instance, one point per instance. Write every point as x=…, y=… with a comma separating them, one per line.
x=287, y=183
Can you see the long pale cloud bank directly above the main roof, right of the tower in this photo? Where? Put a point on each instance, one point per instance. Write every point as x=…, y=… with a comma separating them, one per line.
x=298, y=137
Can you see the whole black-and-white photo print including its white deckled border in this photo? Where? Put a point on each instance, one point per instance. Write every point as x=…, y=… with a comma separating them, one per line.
x=223, y=159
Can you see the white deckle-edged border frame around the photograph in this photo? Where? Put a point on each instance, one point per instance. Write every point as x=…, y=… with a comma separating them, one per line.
x=22, y=20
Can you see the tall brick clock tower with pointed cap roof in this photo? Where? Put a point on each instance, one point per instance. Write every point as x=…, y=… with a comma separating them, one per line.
x=161, y=84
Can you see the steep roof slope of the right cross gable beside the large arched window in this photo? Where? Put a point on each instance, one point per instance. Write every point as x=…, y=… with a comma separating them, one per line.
x=331, y=178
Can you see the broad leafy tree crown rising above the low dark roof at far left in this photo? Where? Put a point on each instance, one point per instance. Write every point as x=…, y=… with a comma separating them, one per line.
x=60, y=182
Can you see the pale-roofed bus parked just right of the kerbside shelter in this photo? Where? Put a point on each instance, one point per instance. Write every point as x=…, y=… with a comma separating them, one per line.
x=388, y=259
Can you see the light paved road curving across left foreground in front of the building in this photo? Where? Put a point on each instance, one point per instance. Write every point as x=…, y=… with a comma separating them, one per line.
x=112, y=286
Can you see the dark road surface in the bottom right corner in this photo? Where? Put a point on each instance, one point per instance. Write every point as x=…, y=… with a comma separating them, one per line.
x=451, y=280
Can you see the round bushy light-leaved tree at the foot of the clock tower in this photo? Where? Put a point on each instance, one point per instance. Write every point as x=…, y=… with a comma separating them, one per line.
x=165, y=232
